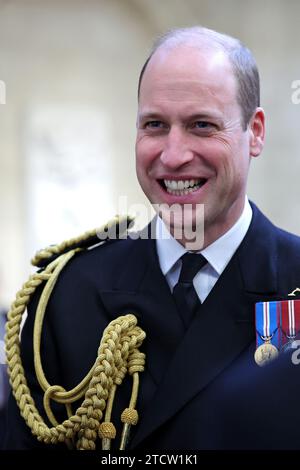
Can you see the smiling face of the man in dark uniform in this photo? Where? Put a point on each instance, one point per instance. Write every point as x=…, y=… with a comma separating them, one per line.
x=191, y=147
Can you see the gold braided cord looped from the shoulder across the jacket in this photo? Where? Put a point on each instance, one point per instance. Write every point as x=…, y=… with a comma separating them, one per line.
x=118, y=354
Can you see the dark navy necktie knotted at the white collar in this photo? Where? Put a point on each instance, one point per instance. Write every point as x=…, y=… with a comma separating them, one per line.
x=184, y=293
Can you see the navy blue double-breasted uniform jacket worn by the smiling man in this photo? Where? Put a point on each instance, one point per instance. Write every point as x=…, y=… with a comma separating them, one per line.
x=201, y=388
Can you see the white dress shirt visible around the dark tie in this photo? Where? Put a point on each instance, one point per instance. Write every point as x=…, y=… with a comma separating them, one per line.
x=218, y=254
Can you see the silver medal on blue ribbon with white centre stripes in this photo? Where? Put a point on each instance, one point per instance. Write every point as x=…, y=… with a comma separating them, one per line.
x=267, y=315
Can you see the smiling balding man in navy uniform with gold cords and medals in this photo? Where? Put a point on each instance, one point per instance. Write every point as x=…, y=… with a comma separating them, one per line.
x=212, y=312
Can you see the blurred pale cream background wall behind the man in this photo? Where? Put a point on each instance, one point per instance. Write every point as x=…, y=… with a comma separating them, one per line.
x=67, y=129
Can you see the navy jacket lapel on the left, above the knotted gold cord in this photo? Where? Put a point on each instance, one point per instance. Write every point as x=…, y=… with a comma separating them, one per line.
x=140, y=288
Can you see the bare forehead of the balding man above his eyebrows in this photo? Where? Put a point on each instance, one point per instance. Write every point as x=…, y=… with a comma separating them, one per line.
x=187, y=75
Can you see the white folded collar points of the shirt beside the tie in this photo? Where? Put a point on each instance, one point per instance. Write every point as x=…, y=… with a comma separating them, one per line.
x=218, y=254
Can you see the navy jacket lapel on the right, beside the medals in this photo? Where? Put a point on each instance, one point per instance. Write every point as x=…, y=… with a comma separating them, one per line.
x=223, y=328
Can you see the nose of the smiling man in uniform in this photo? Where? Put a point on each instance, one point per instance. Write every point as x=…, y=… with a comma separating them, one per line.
x=175, y=152
